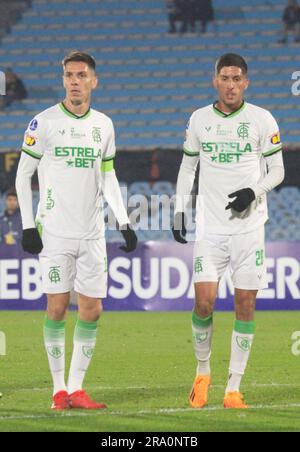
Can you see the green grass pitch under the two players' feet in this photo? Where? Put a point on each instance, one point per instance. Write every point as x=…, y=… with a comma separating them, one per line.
x=143, y=369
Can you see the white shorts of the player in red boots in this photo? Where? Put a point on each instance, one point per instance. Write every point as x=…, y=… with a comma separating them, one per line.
x=74, y=264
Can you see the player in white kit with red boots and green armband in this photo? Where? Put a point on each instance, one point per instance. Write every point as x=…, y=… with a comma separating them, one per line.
x=73, y=148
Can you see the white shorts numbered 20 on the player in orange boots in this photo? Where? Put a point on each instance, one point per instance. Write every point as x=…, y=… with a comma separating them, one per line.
x=244, y=254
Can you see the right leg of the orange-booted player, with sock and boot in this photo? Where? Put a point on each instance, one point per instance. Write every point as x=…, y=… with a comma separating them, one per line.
x=242, y=338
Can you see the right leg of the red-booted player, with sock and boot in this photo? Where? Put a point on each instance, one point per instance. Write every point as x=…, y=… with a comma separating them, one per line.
x=89, y=312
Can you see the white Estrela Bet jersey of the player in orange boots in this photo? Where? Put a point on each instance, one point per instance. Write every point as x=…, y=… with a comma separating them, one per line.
x=232, y=150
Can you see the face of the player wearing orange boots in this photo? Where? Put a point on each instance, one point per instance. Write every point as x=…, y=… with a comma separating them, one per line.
x=231, y=83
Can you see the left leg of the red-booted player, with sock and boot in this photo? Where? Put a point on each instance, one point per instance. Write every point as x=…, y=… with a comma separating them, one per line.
x=54, y=336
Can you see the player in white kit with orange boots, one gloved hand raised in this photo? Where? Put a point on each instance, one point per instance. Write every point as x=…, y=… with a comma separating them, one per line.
x=240, y=154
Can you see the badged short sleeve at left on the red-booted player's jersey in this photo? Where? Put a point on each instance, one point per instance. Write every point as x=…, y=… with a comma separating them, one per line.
x=34, y=138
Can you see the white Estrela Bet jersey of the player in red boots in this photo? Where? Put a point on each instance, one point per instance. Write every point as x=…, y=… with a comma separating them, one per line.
x=71, y=149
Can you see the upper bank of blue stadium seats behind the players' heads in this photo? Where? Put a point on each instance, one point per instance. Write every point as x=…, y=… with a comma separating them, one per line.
x=143, y=67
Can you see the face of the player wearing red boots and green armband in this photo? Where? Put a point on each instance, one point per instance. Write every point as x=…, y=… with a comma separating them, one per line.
x=79, y=81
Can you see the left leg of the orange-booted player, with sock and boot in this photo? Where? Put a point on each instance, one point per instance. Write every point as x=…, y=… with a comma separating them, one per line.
x=202, y=328
